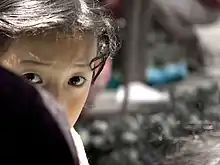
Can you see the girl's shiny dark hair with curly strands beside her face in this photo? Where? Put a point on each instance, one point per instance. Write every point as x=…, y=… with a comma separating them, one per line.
x=34, y=17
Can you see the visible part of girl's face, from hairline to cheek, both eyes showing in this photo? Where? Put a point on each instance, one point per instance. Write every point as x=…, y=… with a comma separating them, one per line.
x=60, y=64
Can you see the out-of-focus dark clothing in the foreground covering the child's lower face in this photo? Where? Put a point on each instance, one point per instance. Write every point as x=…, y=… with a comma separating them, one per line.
x=31, y=131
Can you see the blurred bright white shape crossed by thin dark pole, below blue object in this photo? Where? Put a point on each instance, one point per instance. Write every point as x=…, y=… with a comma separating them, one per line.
x=140, y=93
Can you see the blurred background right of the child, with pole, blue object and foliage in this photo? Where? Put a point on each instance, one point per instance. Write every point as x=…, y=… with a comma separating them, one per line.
x=162, y=85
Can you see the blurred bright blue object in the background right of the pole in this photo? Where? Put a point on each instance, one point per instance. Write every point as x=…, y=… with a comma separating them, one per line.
x=167, y=74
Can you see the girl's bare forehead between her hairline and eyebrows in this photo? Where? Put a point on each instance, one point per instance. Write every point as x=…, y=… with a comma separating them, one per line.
x=55, y=48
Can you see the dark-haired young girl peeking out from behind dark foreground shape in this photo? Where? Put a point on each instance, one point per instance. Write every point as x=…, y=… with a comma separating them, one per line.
x=60, y=45
